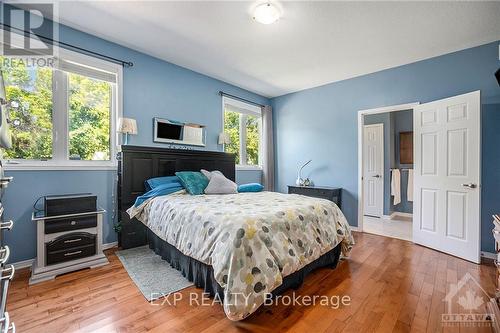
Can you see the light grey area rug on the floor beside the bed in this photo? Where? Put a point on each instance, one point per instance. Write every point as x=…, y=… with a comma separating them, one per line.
x=153, y=276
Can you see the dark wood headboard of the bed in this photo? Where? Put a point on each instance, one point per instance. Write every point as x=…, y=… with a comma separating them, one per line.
x=137, y=164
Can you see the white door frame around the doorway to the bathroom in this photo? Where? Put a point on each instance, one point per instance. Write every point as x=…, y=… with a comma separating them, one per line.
x=361, y=123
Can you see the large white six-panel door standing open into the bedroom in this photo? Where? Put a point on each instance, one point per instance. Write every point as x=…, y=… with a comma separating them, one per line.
x=447, y=156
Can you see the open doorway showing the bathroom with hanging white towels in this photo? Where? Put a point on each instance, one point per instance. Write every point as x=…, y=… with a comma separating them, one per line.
x=387, y=151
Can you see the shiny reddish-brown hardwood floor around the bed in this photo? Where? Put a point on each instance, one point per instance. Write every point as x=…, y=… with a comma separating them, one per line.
x=394, y=286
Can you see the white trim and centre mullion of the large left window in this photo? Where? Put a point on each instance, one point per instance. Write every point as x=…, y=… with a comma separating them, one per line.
x=60, y=158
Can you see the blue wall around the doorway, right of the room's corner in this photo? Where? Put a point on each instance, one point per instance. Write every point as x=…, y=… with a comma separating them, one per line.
x=321, y=123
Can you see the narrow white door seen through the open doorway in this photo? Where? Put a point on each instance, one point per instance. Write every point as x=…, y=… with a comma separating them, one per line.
x=373, y=169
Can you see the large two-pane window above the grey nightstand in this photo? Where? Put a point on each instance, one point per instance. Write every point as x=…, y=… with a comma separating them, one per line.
x=62, y=116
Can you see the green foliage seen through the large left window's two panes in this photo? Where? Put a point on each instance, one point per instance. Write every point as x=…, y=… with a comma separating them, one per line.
x=88, y=114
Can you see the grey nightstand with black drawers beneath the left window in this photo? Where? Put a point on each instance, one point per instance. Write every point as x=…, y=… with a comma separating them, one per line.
x=67, y=243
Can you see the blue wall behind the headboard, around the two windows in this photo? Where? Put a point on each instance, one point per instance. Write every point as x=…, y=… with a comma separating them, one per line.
x=151, y=88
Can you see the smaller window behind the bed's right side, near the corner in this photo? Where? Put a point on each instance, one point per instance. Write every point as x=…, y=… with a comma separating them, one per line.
x=243, y=123
